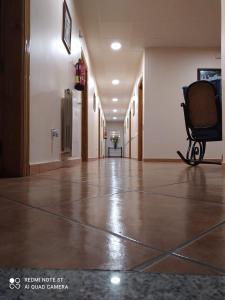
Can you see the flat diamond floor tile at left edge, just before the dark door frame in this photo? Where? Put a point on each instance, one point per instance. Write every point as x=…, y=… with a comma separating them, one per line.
x=41, y=192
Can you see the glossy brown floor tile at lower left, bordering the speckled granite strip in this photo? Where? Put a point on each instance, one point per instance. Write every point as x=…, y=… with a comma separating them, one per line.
x=32, y=238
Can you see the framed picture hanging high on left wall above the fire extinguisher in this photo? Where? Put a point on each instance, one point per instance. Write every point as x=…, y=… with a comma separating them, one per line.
x=67, y=27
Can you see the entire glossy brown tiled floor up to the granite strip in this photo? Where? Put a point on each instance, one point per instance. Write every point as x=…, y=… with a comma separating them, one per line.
x=116, y=214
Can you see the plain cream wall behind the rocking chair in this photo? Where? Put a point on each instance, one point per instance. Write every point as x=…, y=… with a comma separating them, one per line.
x=166, y=71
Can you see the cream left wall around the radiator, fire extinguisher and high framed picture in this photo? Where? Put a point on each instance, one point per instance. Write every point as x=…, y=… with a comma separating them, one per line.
x=52, y=71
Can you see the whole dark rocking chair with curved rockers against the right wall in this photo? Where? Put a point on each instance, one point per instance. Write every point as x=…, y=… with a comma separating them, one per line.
x=203, y=120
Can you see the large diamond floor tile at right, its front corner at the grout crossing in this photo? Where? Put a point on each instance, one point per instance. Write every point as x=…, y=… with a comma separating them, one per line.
x=158, y=221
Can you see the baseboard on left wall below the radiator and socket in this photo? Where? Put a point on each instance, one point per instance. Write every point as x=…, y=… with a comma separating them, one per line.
x=45, y=167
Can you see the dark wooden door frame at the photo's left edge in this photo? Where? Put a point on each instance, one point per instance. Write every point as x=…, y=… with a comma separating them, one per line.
x=15, y=69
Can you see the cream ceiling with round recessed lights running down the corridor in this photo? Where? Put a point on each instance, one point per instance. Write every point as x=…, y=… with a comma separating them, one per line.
x=138, y=24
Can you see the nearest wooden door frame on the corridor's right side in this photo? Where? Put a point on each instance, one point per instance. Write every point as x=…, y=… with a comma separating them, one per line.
x=140, y=120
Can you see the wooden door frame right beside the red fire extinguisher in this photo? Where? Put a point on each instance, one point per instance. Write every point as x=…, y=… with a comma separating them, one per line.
x=84, y=116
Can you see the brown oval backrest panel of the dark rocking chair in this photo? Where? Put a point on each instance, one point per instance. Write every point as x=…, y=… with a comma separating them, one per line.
x=202, y=106
